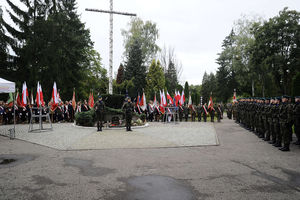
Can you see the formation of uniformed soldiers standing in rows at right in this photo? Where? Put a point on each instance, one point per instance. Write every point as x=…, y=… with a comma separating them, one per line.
x=272, y=119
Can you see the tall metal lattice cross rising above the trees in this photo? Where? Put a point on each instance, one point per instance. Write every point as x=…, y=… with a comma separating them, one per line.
x=111, y=12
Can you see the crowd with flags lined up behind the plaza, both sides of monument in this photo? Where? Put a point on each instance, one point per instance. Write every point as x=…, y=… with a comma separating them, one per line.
x=65, y=112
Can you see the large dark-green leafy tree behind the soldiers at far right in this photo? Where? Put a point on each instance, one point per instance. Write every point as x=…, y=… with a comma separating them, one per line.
x=277, y=48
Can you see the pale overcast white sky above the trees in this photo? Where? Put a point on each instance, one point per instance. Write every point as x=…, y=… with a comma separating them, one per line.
x=194, y=28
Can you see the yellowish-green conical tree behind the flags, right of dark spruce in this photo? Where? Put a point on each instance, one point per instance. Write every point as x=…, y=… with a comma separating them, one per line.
x=155, y=79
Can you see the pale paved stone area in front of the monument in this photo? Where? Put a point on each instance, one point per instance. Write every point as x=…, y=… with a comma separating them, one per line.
x=66, y=136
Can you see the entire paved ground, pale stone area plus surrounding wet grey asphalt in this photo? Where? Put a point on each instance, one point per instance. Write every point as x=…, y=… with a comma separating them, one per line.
x=210, y=161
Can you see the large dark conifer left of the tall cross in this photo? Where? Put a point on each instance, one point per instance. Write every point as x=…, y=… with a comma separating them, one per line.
x=49, y=43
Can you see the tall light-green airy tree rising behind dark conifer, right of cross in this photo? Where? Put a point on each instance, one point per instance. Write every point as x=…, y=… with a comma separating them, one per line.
x=146, y=33
